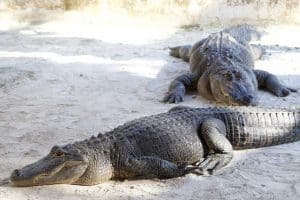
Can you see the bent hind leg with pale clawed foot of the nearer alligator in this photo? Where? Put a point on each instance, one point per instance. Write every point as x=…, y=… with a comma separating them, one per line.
x=213, y=132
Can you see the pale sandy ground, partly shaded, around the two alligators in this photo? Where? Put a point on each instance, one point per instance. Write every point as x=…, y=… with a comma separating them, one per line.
x=58, y=88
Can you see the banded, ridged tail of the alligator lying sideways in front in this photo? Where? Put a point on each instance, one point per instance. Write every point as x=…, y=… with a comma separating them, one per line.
x=260, y=129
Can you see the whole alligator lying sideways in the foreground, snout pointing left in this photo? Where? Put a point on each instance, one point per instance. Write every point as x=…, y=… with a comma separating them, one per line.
x=171, y=144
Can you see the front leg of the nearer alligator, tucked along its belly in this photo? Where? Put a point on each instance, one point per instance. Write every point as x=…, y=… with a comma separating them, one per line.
x=153, y=167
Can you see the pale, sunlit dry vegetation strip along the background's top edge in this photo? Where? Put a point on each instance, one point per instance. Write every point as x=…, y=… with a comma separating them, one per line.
x=180, y=11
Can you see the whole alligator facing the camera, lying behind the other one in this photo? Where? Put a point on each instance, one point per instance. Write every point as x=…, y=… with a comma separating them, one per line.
x=222, y=69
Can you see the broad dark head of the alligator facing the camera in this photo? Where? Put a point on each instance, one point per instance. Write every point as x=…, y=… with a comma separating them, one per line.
x=233, y=86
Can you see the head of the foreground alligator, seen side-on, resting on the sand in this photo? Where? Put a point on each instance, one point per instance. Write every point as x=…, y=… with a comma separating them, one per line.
x=62, y=165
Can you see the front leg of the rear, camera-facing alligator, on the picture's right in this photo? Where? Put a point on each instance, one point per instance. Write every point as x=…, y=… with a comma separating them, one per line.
x=270, y=82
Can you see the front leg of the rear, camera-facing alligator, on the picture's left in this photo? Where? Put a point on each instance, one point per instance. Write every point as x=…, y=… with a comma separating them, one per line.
x=179, y=86
